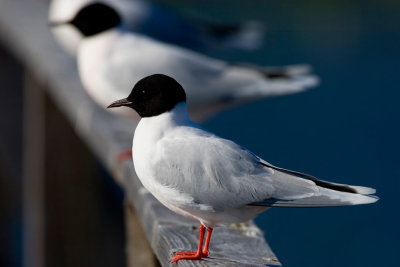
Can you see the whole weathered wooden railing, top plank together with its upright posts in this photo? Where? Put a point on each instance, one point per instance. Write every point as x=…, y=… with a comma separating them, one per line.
x=24, y=31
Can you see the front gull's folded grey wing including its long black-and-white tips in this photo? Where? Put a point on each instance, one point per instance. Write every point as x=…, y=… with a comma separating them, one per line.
x=221, y=174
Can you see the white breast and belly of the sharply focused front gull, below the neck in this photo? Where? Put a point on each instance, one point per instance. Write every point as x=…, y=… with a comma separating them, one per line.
x=144, y=151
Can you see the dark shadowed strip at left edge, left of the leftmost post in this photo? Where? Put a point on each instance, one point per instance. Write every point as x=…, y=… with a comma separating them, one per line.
x=10, y=160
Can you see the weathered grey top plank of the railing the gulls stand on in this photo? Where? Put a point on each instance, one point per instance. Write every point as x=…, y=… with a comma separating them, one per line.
x=24, y=29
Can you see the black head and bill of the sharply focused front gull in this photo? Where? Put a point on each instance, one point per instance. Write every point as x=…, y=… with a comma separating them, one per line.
x=153, y=95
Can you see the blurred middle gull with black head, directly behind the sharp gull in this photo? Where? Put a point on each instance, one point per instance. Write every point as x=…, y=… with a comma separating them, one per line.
x=111, y=59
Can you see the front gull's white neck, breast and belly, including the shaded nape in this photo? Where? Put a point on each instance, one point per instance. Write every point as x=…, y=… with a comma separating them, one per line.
x=147, y=144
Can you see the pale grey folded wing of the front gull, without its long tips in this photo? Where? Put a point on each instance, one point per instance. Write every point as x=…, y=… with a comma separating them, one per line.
x=219, y=173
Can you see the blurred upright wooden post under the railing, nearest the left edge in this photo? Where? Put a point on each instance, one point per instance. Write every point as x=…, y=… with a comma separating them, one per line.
x=33, y=174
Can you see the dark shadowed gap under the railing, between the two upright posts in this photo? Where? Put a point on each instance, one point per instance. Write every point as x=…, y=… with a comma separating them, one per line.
x=85, y=224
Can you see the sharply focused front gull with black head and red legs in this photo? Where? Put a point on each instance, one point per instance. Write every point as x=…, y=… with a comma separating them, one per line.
x=213, y=180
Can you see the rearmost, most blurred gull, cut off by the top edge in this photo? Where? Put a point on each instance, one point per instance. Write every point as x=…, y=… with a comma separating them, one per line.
x=161, y=23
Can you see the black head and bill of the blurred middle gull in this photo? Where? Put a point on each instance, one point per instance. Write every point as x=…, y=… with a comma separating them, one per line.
x=95, y=18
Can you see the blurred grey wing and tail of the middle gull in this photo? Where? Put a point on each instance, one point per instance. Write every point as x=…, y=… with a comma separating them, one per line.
x=207, y=81
